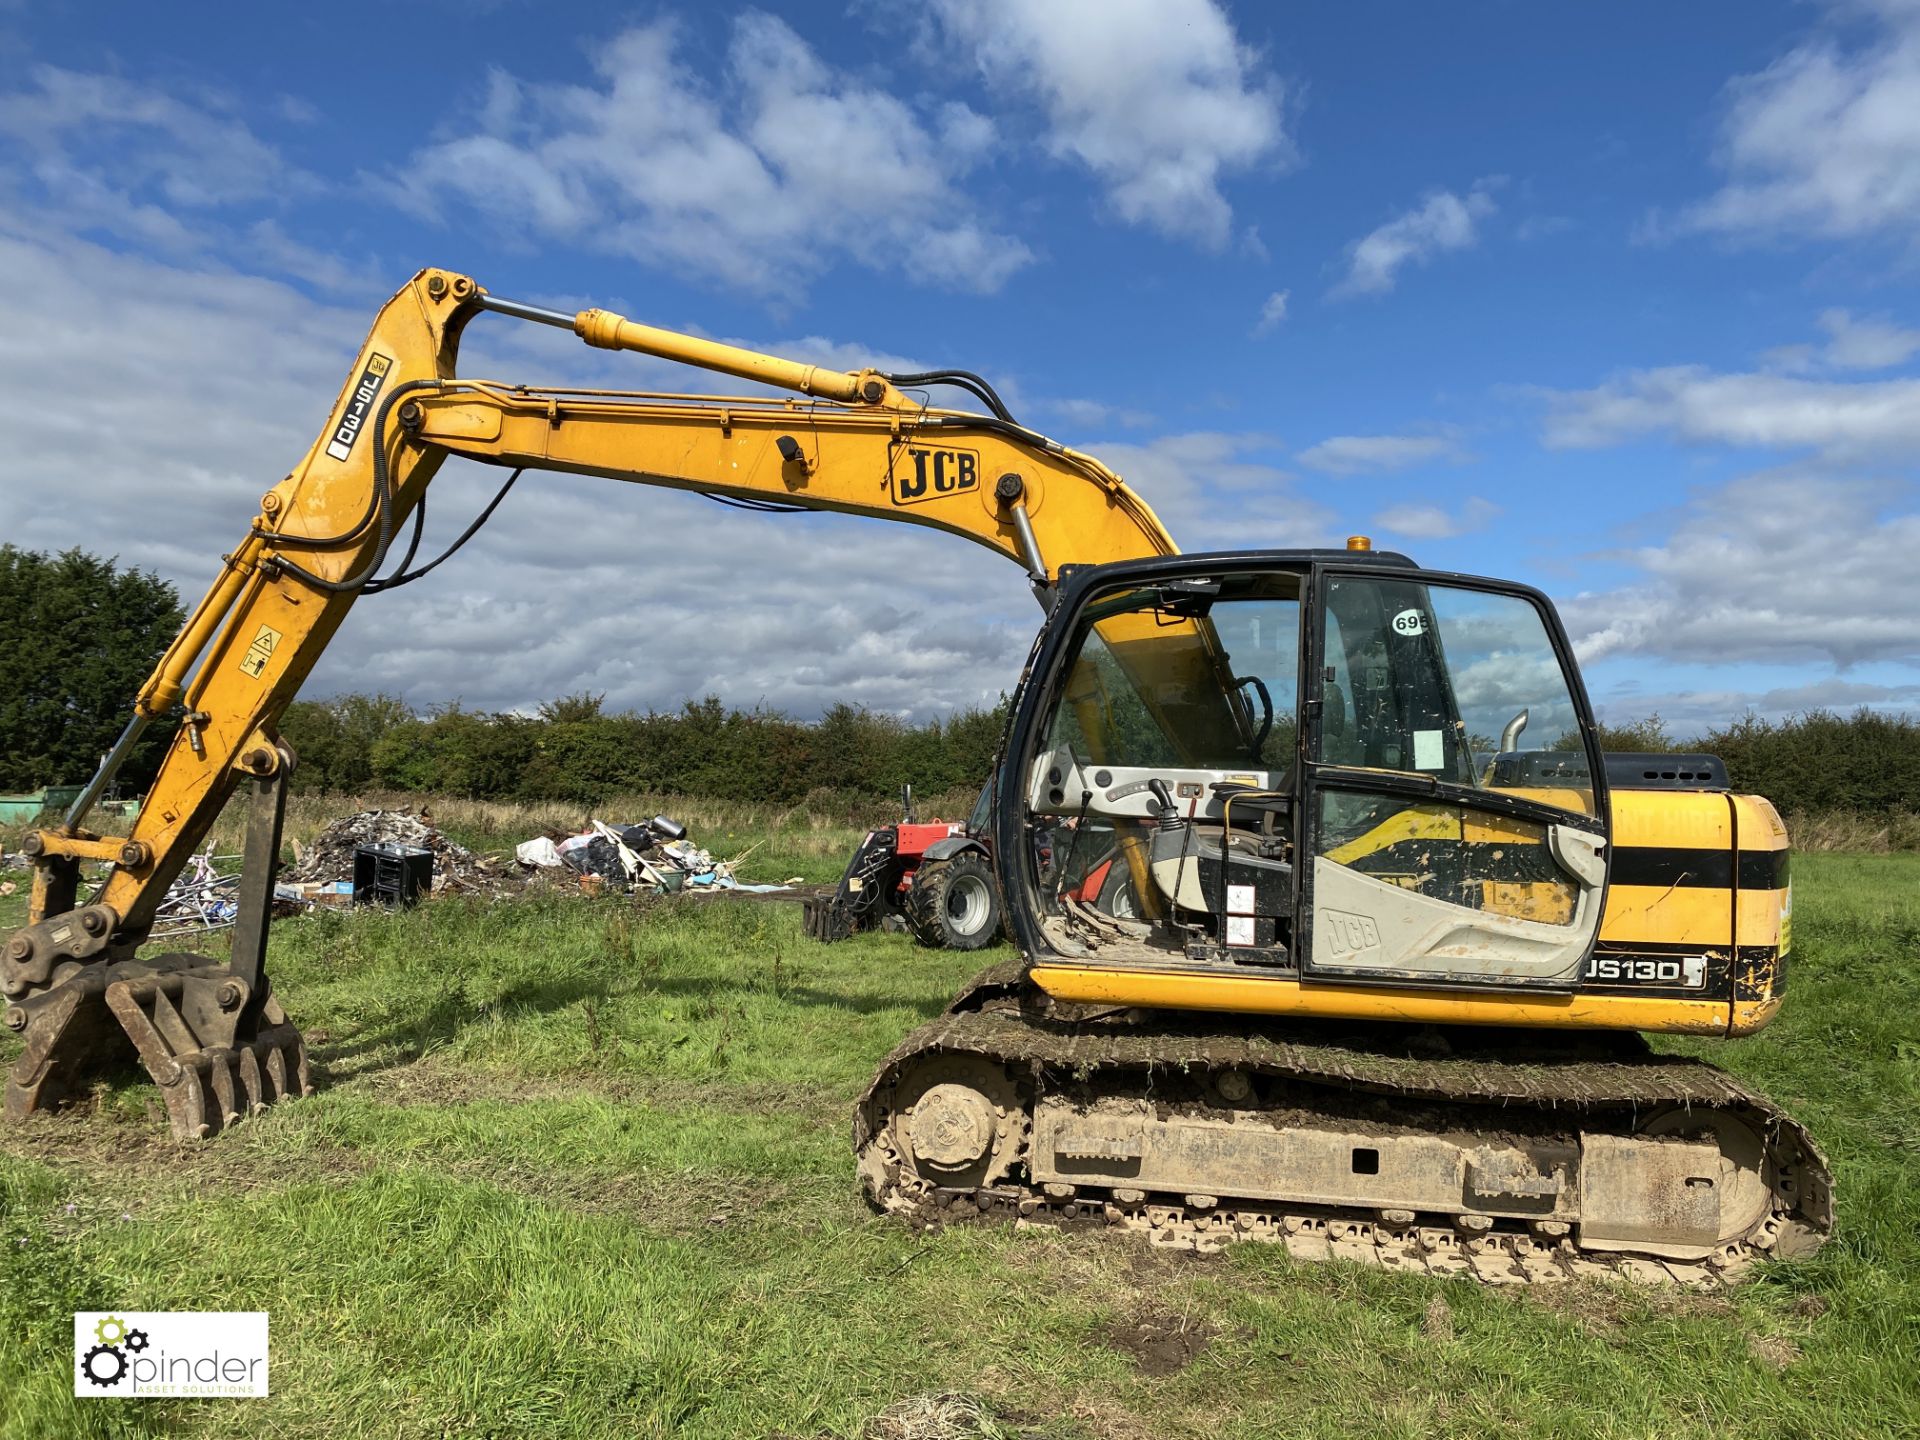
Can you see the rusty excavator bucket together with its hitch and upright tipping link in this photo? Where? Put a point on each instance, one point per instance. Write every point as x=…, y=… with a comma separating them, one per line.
x=210, y=1034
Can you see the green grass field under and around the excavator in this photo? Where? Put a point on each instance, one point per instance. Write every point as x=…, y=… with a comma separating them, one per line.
x=583, y=1170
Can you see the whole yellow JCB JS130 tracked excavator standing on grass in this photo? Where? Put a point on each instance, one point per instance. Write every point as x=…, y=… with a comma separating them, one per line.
x=1312, y=946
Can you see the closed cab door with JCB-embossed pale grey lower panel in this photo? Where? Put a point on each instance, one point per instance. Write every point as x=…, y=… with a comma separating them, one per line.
x=1454, y=807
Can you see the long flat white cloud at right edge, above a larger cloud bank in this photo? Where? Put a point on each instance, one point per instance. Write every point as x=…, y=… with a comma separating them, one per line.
x=1750, y=410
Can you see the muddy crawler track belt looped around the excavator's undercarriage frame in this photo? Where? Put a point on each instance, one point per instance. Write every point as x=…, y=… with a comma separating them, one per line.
x=1579, y=1074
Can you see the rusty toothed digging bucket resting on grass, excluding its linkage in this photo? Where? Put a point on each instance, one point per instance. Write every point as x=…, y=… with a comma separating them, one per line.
x=216, y=1051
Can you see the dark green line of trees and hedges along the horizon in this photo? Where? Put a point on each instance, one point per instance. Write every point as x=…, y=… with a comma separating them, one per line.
x=85, y=633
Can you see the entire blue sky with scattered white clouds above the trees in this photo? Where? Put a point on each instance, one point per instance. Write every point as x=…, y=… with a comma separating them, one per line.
x=1621, y=302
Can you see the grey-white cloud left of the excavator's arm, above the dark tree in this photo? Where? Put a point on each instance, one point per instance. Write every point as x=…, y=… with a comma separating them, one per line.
x=156, y=400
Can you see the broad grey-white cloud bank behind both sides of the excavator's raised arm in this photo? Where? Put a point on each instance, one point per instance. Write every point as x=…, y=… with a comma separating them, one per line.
x=158, y=404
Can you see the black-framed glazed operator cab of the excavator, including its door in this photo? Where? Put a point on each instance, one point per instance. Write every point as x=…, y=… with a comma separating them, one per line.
x=1305, y=765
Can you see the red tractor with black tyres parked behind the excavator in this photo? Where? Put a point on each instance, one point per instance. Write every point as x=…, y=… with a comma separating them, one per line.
x=932, y=880
